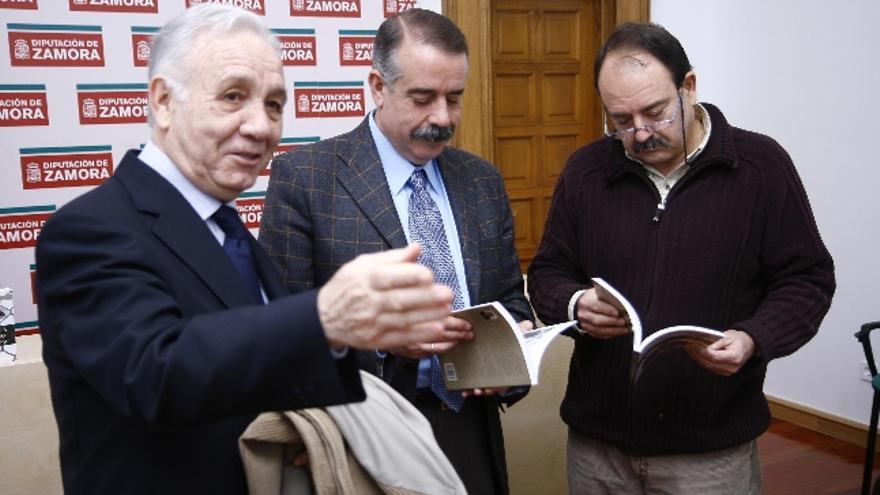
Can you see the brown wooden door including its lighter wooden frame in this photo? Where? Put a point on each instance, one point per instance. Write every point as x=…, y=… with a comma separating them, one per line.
x=530, y=100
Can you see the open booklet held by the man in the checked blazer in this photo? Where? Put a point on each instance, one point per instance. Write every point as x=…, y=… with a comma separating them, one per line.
x=500, y=354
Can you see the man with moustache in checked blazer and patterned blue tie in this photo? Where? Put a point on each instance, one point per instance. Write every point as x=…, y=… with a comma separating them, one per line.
x=390, y=181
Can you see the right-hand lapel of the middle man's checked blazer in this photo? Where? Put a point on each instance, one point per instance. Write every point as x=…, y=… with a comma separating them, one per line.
x=463, y=198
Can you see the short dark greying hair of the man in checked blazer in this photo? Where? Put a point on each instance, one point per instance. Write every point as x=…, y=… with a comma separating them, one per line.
x=423, y=26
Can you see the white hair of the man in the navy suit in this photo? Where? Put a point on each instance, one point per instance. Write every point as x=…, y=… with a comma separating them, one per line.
x=173, y=44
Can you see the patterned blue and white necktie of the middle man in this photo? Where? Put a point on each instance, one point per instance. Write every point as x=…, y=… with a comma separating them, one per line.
x=426, y=228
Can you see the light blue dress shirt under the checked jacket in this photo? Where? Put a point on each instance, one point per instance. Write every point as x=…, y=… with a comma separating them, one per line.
x=397, y=173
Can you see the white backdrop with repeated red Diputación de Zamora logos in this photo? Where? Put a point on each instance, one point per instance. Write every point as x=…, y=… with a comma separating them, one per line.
x=73, y=99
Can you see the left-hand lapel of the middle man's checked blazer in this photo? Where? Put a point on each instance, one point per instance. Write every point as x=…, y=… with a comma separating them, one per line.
x=360, y=173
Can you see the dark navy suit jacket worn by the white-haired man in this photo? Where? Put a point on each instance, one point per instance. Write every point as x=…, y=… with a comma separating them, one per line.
x=156, y=362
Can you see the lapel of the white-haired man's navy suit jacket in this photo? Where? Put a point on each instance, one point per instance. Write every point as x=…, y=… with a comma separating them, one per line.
x=178, y=226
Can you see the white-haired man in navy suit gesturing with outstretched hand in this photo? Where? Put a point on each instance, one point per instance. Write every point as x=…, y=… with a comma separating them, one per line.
x=166, y=330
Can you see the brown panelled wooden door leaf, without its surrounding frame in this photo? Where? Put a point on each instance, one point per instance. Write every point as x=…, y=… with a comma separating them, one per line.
x=543, y=106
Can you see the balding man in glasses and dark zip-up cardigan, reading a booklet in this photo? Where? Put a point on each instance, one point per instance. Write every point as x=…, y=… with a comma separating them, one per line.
x=695, y=222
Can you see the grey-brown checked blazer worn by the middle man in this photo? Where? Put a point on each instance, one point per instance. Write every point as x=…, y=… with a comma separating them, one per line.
x=329, y=202
